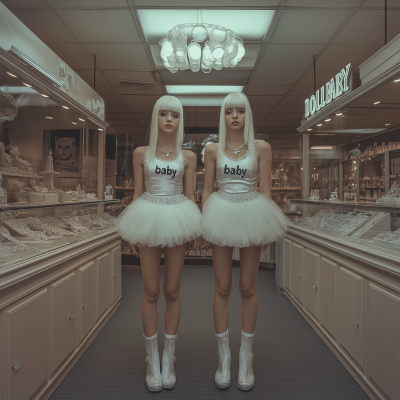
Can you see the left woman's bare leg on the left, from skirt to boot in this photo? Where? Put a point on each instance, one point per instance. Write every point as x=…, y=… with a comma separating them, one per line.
x=150, y=261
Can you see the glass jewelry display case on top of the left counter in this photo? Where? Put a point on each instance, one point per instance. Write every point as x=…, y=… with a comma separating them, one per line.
x=27, y=230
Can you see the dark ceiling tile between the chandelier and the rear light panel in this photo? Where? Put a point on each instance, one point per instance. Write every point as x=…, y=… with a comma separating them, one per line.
x=223, y=77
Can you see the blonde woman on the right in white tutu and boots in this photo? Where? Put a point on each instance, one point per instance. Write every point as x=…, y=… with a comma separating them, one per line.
x=238, y=216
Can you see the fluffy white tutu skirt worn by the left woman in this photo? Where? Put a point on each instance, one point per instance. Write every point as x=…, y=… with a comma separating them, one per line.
x=159, y=225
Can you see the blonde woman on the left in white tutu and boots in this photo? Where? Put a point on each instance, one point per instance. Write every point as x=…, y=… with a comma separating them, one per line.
x=163, y=217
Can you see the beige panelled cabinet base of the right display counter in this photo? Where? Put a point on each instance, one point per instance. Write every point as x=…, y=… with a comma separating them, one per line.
x=353, y=302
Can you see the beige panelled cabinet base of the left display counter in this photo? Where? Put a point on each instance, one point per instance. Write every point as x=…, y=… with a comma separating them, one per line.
x=48, y=318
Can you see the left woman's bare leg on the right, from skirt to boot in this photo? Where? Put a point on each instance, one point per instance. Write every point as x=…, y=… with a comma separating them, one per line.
x=174, y=258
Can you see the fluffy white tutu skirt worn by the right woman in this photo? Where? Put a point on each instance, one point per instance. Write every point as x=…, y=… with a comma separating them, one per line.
x=242, y=224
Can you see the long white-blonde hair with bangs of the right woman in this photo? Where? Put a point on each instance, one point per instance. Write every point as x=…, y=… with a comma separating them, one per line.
x=237, y=100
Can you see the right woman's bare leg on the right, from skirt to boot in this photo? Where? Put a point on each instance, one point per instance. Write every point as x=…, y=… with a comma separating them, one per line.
x=249, y=262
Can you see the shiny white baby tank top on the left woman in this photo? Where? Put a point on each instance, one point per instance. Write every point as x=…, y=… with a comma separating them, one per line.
x=164, y=178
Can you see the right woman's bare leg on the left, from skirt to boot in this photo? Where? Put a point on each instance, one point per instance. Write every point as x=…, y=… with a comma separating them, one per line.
x=222, y=260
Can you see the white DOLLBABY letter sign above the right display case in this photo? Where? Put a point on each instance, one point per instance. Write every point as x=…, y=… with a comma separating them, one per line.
x=328, y=92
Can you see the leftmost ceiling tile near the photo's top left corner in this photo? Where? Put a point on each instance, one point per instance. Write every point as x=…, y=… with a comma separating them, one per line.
x=46, y=24
